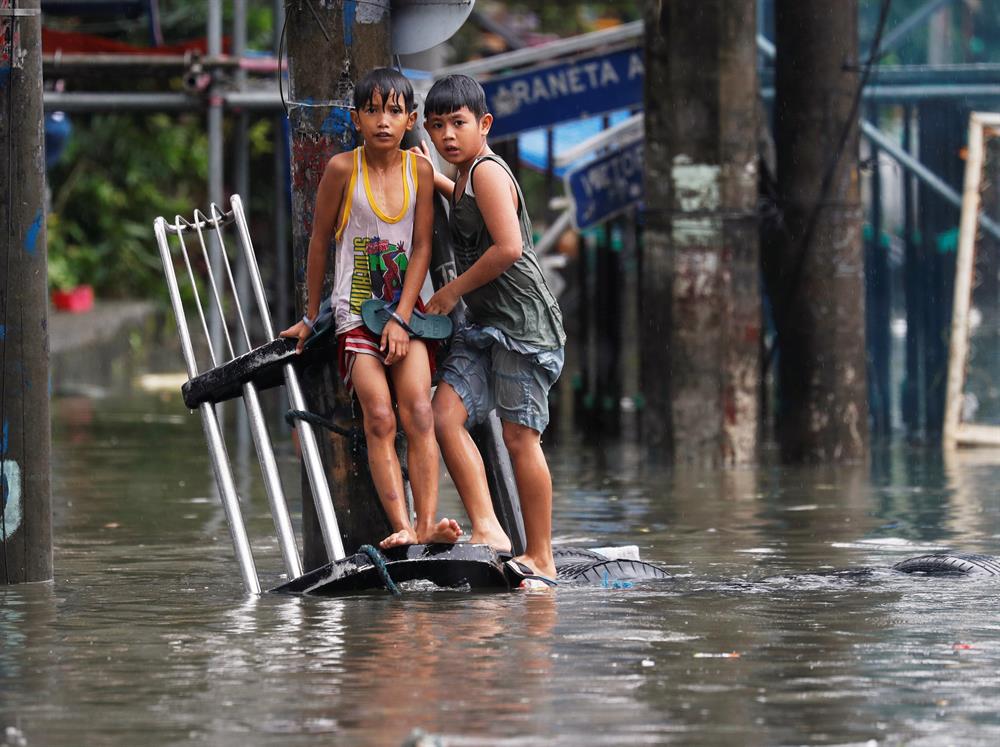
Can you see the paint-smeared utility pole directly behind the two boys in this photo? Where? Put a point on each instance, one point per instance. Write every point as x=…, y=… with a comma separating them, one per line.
x=330, y=45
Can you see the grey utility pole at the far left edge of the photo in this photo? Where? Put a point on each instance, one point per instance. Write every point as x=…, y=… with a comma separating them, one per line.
x=25, y=500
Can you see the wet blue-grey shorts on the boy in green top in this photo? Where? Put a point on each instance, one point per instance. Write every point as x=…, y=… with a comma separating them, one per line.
x=488, y=372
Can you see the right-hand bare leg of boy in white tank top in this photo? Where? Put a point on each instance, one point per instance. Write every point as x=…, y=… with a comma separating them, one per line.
x=411, y=378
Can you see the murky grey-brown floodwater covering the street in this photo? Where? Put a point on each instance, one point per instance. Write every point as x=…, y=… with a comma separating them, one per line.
x=146, y=637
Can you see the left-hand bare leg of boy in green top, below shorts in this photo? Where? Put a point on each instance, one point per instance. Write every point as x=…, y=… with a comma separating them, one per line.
x=465, y=464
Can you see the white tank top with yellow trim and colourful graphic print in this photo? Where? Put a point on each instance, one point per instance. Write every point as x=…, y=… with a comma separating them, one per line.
x=373, y=249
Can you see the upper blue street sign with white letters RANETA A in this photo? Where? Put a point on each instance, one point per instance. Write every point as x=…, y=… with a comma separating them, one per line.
x=556, y=93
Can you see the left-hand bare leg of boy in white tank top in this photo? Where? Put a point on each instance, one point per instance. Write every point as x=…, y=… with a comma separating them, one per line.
x=372, y=390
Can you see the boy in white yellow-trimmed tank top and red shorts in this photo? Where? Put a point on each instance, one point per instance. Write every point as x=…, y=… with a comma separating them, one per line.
x=377, y=203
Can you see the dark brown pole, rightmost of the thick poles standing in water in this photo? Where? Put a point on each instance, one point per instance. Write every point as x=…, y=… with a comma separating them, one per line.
x=816, y=274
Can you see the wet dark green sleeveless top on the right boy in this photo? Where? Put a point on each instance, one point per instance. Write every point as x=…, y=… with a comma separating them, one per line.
x=518, y=302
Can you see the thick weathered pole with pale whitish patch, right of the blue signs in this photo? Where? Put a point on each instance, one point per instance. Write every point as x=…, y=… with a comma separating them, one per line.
x=700, y=293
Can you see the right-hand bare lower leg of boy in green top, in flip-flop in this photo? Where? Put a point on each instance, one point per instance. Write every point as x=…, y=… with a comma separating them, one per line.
x=534, y=484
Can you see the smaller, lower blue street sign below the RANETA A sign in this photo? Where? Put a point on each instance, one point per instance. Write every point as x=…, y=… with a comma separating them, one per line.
x=606, y=186
